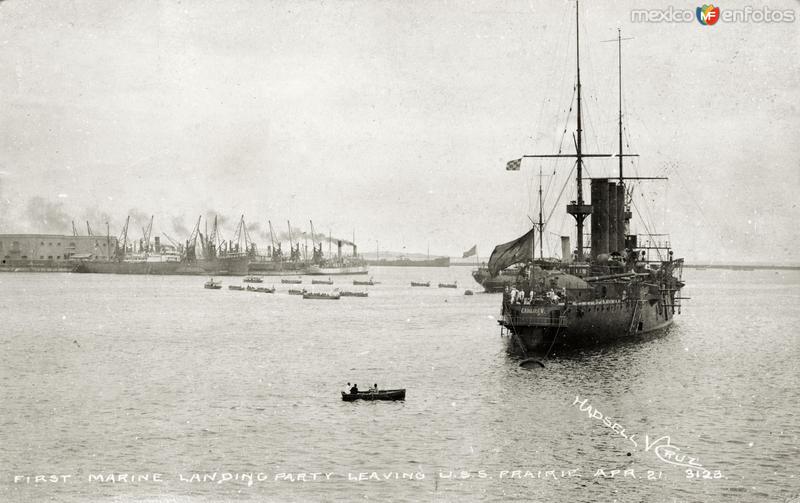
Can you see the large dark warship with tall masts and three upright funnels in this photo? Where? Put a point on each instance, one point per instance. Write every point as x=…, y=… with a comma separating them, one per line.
x=621, y=288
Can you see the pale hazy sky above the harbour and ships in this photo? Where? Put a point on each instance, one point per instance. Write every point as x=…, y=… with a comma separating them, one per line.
x=393, y=121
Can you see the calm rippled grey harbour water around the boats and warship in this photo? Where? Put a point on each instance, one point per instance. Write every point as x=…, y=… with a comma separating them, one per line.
x=143, y=375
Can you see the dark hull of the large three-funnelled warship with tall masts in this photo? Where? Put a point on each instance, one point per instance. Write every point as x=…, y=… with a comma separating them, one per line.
x=537, y=329
